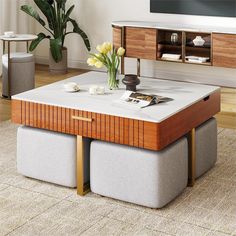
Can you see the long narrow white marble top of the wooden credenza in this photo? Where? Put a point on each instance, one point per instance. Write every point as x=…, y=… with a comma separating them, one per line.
x=175, y=26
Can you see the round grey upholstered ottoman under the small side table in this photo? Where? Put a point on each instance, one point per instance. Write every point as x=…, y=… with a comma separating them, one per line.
x=22, y=73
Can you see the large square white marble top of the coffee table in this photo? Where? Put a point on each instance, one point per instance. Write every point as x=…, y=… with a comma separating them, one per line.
x=183, y=95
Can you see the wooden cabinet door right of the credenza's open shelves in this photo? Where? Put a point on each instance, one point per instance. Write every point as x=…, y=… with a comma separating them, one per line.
x=224, y=50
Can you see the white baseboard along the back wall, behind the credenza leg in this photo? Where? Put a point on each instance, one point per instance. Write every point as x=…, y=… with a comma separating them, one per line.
x=180, y=72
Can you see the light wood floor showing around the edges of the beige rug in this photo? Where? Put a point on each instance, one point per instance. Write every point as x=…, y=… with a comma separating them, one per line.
x=226, y=118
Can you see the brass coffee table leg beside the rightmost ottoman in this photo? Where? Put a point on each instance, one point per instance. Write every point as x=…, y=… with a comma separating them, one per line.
x=192, y=158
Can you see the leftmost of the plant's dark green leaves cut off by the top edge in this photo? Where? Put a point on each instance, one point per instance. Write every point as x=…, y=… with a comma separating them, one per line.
x=48, y=11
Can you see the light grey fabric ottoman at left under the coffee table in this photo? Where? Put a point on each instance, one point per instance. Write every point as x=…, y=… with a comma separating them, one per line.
x=49, y=156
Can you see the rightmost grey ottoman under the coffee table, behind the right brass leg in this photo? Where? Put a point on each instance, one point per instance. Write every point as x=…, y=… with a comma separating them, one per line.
x=206, y=146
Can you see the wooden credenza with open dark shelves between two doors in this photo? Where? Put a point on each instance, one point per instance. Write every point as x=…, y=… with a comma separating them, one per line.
x=143, y=41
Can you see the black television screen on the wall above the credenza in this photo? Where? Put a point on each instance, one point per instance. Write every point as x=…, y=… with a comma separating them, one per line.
x=226, y=8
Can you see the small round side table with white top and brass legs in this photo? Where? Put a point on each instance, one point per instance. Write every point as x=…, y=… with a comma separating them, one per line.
x=17, y=38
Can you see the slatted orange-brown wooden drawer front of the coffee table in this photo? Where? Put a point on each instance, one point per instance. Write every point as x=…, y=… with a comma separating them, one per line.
x=59, y=119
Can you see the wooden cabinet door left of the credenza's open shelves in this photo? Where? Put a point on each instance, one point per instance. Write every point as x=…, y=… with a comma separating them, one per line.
x=141, y=43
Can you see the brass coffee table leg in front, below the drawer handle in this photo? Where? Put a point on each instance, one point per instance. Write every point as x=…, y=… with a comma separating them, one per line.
x=82, y=188
